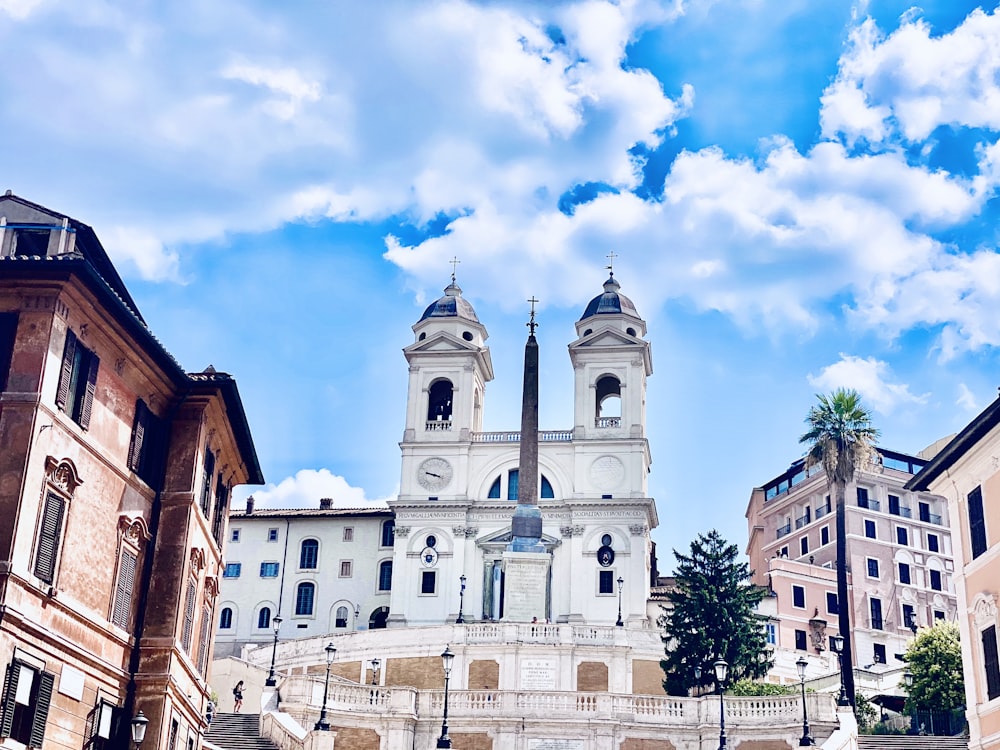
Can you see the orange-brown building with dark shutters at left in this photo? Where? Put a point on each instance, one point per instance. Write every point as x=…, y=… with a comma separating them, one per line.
x=115, y=473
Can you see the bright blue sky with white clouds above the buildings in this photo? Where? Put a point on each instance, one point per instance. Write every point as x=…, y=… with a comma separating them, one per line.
x=800, y=196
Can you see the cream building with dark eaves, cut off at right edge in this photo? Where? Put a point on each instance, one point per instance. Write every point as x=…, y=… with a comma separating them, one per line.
x=967, y=473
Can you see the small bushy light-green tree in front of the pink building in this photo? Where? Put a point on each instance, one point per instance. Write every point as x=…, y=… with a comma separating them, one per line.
x=934, y=658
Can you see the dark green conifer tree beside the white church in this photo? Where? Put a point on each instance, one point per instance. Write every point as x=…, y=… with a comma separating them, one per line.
x=712, y=615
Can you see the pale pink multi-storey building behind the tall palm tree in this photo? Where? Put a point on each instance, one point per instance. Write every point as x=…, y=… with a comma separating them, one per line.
x=899, y=561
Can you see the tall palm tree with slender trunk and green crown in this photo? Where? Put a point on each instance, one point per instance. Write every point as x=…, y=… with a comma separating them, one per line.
x=840, y=438
